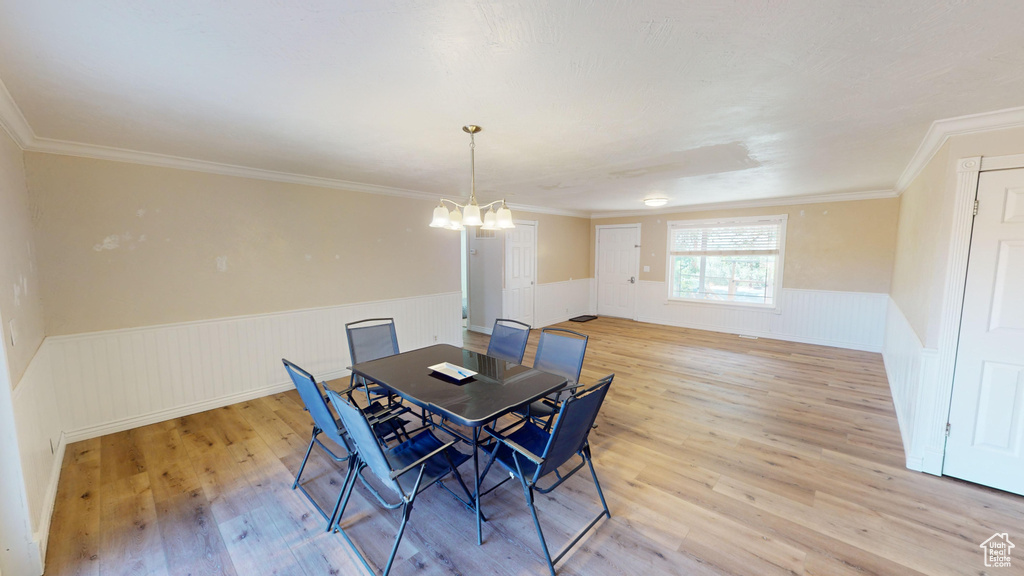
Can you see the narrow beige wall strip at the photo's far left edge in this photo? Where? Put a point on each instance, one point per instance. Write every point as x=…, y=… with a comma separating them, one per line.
x=20, y=287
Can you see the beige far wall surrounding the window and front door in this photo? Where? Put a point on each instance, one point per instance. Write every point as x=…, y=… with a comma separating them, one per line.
x=846, y=246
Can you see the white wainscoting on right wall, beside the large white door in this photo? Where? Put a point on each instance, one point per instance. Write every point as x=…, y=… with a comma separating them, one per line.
x=913, y=371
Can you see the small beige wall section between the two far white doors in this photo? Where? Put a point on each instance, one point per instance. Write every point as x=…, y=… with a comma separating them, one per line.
x=563, y=246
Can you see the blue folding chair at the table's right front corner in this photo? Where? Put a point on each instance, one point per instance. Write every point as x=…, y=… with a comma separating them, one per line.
x=531, y=454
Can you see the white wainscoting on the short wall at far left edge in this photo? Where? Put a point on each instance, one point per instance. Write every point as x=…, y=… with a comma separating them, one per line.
x=41, y=442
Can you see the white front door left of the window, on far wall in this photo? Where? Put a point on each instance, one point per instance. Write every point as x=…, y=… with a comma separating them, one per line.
x=618, y=257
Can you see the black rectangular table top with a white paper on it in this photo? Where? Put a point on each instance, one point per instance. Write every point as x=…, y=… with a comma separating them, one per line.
x=498, y=388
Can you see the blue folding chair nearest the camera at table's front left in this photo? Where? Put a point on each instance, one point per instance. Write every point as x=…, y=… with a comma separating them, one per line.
x=406, y=470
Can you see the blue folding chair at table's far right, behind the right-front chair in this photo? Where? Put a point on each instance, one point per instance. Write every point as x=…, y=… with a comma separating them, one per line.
x=560, y=352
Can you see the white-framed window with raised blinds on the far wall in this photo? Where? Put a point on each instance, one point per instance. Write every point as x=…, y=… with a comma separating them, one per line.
x=738, y=261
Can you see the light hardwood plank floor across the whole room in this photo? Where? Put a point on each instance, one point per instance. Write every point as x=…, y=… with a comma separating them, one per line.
x=718, y=456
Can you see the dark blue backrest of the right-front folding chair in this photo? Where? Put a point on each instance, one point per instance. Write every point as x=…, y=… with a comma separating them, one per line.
x=574, y=425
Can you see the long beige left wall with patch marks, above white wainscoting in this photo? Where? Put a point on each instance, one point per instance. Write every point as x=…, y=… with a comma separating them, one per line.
x=124, y=245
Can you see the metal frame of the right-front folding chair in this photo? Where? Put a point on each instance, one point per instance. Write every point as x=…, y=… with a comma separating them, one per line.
x=553, y=457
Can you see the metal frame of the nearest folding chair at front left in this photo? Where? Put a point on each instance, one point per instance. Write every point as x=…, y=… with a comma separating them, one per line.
x=352, y=417
